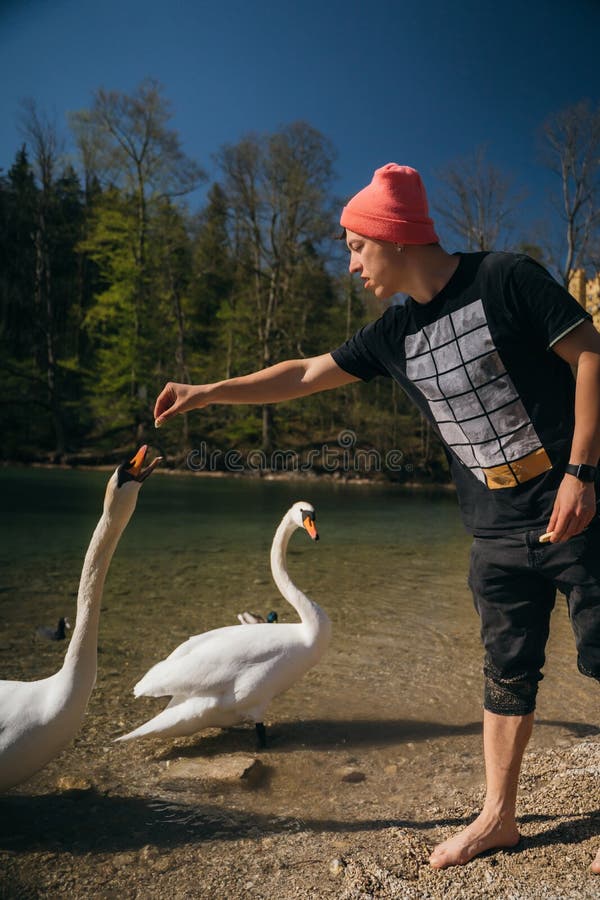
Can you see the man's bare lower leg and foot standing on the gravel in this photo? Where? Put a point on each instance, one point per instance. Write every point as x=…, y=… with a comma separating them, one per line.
x=504, y=742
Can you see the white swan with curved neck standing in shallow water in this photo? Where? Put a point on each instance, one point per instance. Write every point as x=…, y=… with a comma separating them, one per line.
x=231, y=674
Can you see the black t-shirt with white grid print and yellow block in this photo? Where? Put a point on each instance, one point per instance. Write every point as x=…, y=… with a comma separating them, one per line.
x=477, y=362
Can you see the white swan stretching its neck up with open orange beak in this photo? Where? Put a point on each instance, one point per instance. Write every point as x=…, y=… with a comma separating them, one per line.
x=38, y=718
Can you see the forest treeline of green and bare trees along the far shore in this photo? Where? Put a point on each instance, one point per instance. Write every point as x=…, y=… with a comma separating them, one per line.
x=110, y=286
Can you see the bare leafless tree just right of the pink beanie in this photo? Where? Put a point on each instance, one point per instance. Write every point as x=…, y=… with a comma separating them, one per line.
x=476, y=201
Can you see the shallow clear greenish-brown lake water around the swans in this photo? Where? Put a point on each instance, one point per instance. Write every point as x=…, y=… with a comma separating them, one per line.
x=398, y=694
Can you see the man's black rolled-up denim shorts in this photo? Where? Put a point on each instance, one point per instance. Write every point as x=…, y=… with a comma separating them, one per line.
x=514, y=580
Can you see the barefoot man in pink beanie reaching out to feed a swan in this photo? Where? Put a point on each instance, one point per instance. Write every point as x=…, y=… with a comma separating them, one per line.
x=484, y=346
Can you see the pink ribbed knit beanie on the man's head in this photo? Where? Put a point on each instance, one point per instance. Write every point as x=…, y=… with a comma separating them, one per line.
x=393, y=207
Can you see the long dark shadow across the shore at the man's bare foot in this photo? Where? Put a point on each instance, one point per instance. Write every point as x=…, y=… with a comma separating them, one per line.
x=85, y=821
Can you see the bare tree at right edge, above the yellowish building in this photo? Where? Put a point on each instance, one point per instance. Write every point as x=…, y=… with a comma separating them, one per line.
x=572, y=151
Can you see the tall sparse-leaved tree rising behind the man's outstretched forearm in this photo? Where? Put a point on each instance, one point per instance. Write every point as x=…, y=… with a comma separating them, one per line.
x=278, y=193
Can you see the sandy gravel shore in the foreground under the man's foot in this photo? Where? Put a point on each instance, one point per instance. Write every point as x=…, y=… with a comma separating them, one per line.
x=77, y=837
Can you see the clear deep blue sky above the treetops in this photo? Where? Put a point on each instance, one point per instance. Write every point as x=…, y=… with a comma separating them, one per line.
x=387, y=80
